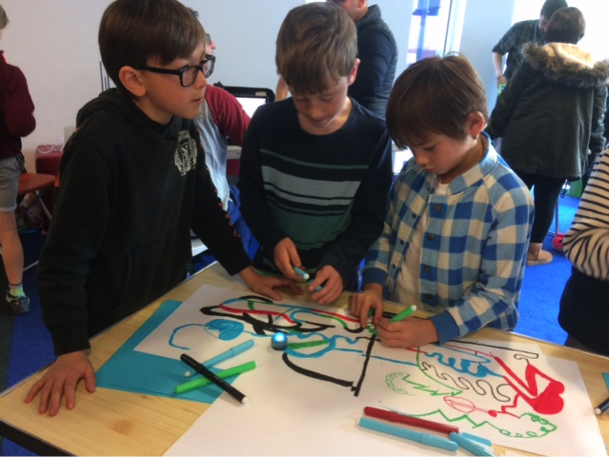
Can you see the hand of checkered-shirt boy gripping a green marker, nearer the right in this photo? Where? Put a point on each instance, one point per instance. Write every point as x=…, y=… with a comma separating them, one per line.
x=408, y=333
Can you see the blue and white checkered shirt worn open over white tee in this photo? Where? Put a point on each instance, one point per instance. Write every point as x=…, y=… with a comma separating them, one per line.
x=474, y=248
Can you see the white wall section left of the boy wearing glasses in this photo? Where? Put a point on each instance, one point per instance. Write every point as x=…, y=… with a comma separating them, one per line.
x=55, y=44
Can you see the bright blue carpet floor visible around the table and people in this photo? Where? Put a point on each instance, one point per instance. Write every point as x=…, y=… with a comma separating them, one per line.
x=30, y=348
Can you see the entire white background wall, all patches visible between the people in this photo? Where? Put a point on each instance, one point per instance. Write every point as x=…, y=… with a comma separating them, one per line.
x=55, y=44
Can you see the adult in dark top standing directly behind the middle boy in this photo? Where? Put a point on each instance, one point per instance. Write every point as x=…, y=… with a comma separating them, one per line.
x=377, y=53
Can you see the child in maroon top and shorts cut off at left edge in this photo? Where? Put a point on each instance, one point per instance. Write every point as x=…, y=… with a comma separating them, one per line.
x=16, y=121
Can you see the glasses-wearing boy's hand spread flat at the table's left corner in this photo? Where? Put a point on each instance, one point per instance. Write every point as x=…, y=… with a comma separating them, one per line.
x=61, y=379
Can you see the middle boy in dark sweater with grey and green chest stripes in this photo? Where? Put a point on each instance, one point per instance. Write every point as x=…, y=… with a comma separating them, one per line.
x=316, y=167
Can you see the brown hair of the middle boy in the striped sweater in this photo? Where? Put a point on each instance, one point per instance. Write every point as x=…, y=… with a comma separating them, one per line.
x=315, y=41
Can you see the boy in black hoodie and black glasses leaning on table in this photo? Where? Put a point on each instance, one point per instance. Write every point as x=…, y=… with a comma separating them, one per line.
x=132, y=184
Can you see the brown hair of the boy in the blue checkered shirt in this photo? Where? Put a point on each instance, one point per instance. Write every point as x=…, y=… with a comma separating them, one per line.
x=434, y=96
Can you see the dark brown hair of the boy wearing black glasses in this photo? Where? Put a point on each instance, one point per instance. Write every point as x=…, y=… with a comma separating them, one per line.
x=134, y=31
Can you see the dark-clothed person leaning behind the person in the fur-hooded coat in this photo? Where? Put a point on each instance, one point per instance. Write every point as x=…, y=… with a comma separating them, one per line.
x=519, y=34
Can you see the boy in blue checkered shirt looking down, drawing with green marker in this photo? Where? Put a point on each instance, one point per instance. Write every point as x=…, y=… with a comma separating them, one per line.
x=458, y=224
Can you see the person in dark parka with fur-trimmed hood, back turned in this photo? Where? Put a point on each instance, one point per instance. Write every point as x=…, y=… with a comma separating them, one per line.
x=550, y=117
